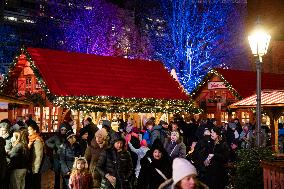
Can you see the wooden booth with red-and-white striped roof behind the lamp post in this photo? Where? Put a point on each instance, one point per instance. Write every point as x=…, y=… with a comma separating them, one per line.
x=272, y=104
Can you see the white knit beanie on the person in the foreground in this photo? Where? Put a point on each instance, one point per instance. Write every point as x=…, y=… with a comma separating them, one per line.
x=181, y=169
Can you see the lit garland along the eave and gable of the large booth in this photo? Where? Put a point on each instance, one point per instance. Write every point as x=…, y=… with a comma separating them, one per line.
x=107, y=103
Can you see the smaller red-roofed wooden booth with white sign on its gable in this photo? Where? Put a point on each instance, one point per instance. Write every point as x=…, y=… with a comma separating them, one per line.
x=222, y=87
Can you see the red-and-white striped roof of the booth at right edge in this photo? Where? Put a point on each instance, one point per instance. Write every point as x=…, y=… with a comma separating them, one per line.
x=268, y=98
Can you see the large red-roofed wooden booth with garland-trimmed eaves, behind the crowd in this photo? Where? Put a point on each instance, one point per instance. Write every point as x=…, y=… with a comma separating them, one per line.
x=61, y=84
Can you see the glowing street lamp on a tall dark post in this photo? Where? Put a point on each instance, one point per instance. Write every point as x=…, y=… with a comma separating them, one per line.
x=259, y=41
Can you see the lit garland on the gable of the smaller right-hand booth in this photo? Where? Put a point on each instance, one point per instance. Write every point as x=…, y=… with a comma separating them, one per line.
x=227, y=84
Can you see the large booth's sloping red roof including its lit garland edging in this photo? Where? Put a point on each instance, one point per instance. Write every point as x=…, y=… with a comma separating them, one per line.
x=100, y=83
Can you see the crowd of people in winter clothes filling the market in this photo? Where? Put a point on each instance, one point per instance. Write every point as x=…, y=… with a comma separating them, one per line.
x=178, y=155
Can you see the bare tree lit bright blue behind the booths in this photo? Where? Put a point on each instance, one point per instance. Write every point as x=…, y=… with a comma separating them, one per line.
x=193, y=37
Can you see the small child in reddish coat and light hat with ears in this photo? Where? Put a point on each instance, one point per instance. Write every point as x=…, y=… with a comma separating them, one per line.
x=80, y=177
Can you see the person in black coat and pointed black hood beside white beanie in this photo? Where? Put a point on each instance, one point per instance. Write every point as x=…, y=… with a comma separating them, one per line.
x=156, y=167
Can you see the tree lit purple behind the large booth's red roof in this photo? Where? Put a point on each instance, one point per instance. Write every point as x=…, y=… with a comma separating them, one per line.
x=99, y=27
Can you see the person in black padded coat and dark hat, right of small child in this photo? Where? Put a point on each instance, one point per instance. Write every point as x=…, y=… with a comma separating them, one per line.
x=115, y=166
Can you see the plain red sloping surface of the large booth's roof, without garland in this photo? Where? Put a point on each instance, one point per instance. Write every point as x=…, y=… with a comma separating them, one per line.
x=77, y=74
